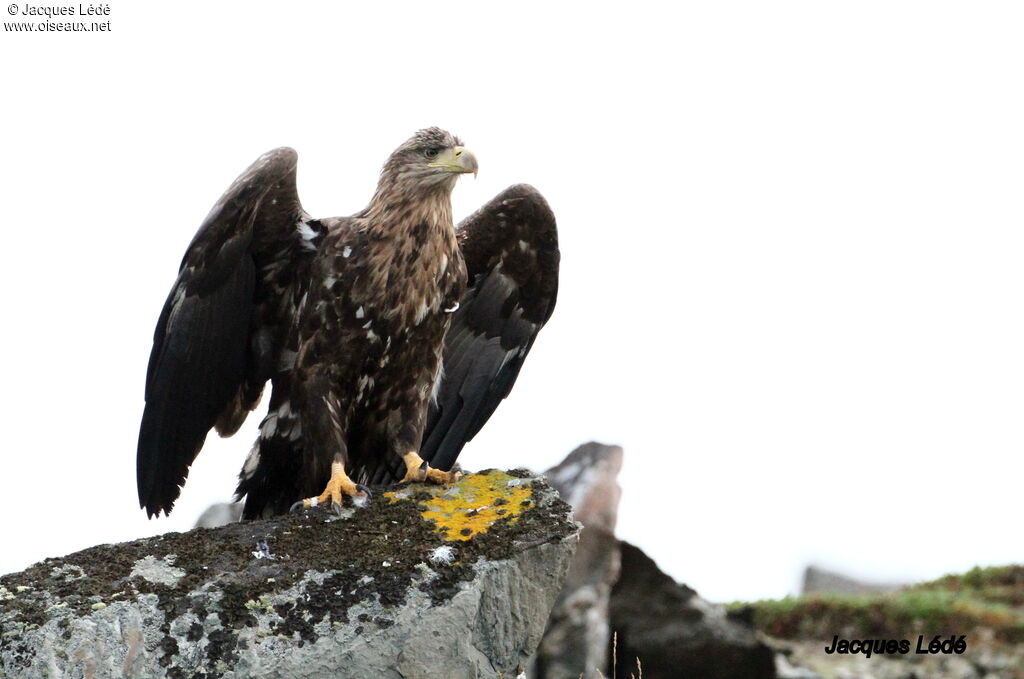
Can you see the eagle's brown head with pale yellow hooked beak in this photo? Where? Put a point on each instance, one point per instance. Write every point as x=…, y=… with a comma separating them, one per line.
x=429, y=163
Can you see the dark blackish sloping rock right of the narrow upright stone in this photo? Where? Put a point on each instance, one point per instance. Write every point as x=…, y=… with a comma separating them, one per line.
x=675, y=633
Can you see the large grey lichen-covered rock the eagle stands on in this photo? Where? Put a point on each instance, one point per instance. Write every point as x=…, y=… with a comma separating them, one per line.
x=426, y=582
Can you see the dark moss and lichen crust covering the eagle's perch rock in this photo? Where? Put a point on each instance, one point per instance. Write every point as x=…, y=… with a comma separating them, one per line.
x=210, y=593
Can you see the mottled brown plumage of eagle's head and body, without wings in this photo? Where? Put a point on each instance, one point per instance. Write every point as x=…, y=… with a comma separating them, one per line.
x=371, y=335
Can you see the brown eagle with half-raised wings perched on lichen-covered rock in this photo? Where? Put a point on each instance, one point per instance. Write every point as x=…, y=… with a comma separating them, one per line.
x=390, y=337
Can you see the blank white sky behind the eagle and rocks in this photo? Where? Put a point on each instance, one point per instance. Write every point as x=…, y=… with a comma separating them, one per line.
x=792, y=240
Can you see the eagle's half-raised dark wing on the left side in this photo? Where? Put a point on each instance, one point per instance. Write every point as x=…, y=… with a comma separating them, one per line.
x=220, y=334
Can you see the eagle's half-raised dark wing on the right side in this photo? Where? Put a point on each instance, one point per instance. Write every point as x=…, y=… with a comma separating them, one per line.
x=511, y=251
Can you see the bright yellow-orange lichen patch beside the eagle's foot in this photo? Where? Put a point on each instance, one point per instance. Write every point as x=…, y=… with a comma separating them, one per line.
x=473, y=505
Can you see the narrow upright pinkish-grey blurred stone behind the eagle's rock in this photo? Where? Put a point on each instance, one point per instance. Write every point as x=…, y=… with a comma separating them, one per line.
x=576, y=643
